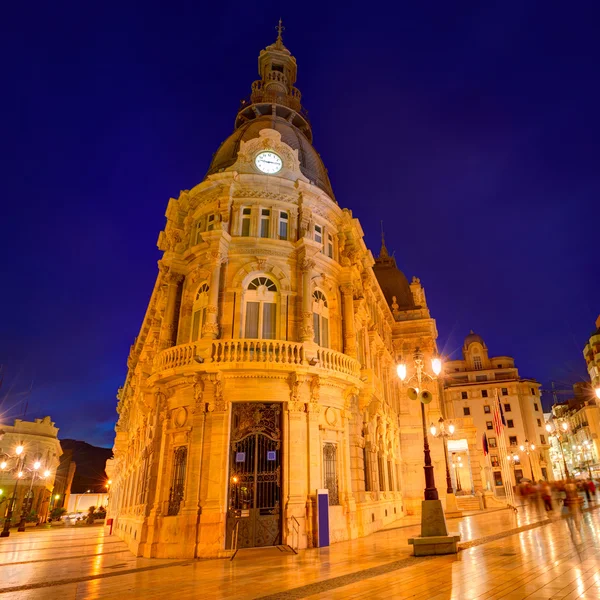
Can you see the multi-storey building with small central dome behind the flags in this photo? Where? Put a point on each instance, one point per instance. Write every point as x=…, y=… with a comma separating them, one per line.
x=469, y=386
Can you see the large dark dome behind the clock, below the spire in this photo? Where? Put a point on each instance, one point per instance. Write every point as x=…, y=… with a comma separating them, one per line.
x=311, y=164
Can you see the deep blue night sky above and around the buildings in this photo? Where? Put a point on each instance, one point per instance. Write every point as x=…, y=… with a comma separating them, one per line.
x=472, y=132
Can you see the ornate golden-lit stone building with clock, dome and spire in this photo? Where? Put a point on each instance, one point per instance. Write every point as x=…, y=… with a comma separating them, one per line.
x=265, y=364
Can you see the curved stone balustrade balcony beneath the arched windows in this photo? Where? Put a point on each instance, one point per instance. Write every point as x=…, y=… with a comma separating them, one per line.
x=252, y=354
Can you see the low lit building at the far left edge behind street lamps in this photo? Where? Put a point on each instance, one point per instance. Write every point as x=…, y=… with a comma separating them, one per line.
x=40, y=443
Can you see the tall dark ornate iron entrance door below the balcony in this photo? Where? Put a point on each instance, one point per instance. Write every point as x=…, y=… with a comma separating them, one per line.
x=255, y=475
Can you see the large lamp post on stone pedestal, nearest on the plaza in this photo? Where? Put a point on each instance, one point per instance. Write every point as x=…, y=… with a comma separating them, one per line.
x=434, y=538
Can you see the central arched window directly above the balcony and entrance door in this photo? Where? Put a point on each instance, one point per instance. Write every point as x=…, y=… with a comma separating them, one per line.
x=261, y=309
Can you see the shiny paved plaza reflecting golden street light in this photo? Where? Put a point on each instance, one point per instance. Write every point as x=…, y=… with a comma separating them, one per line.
x=505, y=555
